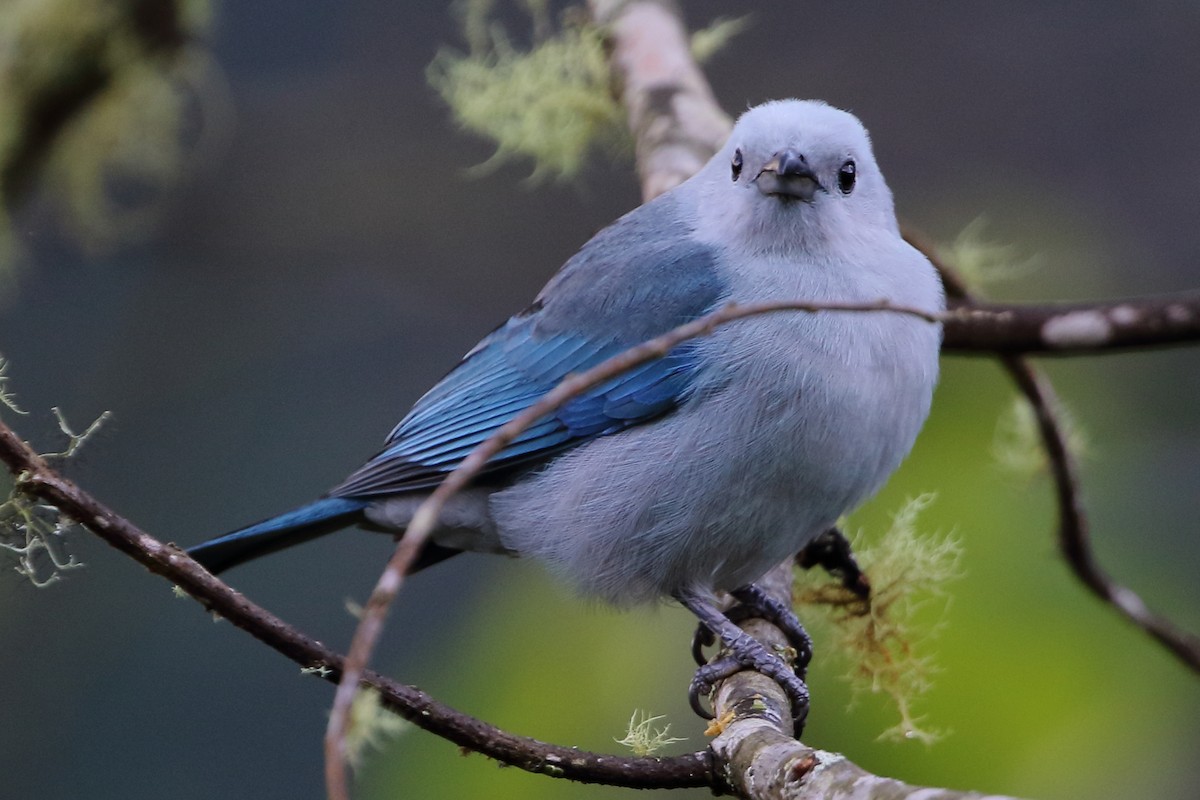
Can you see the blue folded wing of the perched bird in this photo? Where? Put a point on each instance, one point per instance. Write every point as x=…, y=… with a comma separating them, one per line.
x=604, y=302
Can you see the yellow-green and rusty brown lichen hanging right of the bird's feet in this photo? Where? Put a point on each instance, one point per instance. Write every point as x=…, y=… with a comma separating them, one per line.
x=883, y=637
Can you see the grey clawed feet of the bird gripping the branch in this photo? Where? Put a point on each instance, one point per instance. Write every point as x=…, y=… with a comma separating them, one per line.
x=746, y=652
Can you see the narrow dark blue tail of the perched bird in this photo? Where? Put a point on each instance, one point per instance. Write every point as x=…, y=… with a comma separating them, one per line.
x=299, y=526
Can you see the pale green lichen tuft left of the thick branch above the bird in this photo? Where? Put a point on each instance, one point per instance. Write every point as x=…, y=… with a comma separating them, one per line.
x=550, y=104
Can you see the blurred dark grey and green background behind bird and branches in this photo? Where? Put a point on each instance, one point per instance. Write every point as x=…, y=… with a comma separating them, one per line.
x=331, y=257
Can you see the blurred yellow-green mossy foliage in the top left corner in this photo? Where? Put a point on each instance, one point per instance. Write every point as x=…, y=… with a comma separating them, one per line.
x=99, y=104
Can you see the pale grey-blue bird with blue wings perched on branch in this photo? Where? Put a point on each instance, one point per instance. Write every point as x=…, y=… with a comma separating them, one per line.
x=694, y=474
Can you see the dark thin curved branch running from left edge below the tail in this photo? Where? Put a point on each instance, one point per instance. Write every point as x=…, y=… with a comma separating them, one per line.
x=37, y=479
